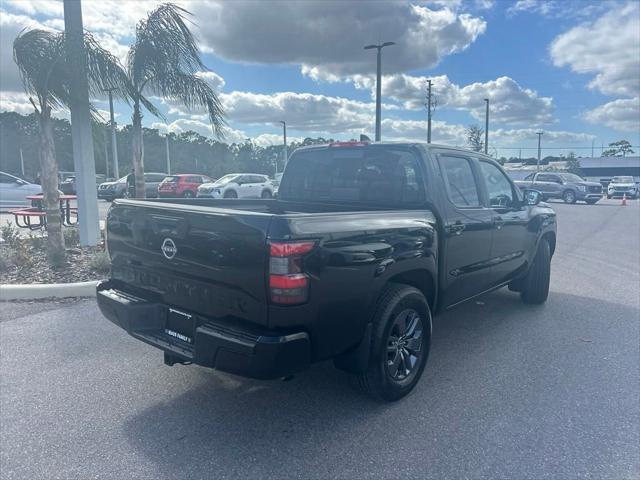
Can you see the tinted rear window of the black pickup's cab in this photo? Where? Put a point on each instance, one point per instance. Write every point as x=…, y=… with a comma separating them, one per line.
x=373, y=174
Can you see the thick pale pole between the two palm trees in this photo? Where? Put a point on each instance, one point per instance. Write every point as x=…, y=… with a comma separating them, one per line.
x=81, y=137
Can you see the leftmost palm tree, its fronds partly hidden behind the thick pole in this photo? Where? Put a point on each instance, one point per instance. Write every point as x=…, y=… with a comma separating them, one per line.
x=42, y=62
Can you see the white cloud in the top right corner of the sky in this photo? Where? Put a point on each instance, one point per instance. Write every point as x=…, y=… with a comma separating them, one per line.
x=608, y=47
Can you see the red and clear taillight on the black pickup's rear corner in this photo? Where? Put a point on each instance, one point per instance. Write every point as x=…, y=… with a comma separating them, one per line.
x=288, y=284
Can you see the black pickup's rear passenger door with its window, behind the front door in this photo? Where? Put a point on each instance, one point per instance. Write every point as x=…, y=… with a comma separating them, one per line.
x=467, y=229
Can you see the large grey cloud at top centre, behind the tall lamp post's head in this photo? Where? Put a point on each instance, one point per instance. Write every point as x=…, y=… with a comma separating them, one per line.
x=329, y=37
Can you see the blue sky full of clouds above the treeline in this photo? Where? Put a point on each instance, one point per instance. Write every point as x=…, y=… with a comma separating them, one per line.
x=570, y=68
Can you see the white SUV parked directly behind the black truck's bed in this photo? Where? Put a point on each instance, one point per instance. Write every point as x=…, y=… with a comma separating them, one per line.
x=238, y=185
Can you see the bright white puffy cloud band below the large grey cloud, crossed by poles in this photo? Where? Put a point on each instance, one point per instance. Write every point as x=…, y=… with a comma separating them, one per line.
x=509, y=102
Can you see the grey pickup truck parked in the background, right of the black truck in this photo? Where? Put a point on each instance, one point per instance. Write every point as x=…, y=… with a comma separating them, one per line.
x=568, y=187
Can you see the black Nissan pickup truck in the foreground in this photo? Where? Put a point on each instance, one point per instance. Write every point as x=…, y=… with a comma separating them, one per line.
x=364, y=243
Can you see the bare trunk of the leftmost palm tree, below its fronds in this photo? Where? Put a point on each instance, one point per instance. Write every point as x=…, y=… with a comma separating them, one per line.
x=51, y=196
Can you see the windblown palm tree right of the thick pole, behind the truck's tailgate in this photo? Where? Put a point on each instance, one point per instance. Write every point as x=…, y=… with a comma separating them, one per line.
x=164, y=61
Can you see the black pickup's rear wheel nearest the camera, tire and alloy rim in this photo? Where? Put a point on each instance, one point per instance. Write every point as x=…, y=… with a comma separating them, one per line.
x=401, y=338
